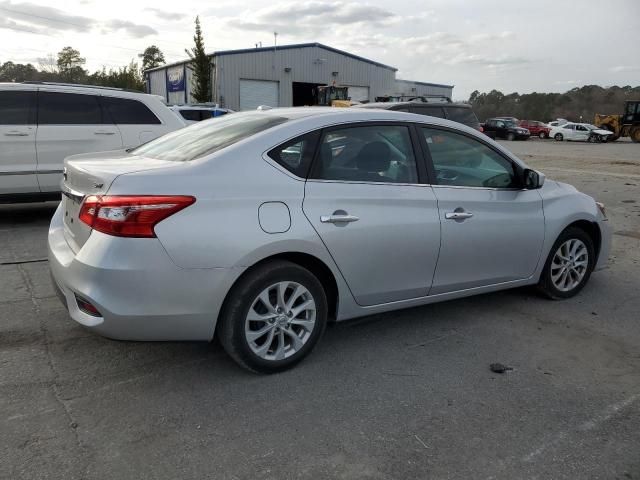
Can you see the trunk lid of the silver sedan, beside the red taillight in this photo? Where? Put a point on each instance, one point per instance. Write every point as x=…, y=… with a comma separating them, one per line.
x=93, y=174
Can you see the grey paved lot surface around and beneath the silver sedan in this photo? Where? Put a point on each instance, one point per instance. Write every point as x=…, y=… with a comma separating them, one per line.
x=397, y=396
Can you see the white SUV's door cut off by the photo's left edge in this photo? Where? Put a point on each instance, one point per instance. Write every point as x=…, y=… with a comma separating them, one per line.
x=18, y=164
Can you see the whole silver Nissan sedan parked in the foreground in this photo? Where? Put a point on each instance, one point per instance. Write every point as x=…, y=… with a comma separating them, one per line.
x=262, y=226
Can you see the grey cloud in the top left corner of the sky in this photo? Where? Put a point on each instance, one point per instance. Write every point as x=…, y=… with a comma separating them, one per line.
x=41, y=16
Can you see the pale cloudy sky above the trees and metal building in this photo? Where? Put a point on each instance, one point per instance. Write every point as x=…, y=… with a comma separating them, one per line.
x=512, y=46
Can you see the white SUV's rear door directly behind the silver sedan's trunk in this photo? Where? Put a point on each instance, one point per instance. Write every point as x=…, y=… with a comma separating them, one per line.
x=69, y=123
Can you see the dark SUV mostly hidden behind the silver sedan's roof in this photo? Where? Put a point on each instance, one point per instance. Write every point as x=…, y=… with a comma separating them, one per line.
x=456, y=112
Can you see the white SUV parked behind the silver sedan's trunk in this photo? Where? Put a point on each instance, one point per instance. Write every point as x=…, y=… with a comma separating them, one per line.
x=42, y=123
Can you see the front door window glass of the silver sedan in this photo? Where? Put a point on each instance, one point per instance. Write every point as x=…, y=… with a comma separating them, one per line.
x=462, y=161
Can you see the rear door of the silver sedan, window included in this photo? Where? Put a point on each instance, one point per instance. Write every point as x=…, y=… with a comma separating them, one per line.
x=379, y=223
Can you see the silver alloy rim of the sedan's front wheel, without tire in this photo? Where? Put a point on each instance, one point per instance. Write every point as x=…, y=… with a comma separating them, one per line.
x=569, y=265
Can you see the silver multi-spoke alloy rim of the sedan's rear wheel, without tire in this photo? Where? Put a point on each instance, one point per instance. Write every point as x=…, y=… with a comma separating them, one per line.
x=280, y=320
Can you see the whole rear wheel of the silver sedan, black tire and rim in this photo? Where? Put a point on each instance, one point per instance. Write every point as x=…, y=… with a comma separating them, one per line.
x=263, y=301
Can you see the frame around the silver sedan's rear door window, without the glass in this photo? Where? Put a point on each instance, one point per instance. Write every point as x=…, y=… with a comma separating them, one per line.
x=417, y=153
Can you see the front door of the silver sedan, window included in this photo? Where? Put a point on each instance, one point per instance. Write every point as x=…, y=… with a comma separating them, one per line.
x=492, y=229
